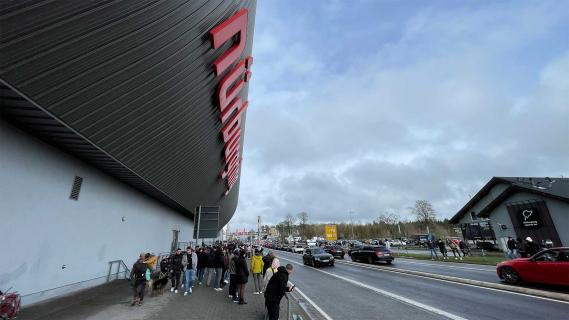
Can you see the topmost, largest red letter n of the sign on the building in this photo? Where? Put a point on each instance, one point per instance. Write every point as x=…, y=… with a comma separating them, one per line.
x=237, y=24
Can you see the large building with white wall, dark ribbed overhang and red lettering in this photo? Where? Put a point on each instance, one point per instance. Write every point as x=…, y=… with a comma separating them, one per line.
x=118, y=119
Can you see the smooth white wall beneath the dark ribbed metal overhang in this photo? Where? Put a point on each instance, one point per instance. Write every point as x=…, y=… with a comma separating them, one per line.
x=41, y=229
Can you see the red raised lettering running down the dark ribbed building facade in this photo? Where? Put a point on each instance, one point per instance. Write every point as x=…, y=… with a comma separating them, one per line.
x=235, y=74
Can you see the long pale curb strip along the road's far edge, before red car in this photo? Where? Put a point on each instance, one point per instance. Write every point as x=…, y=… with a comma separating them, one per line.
x=498, y=286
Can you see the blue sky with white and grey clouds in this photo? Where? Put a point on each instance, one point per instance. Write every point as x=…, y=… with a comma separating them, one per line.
x=367, y=106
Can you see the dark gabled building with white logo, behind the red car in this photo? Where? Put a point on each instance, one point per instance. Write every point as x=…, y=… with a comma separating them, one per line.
x=519, y=207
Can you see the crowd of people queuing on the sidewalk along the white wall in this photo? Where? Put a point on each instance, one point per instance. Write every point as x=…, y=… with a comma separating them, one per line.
x=215, y=266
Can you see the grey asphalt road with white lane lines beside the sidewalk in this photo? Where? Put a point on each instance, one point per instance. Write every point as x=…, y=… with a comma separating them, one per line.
x=348, y=291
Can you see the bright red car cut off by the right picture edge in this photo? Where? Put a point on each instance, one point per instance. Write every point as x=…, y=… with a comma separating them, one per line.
x=549, y=266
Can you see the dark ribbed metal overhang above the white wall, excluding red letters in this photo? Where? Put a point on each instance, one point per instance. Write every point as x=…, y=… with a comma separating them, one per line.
x=127, y=86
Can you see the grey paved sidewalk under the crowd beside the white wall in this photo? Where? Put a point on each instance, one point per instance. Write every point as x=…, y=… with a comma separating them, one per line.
x=112, y=301
